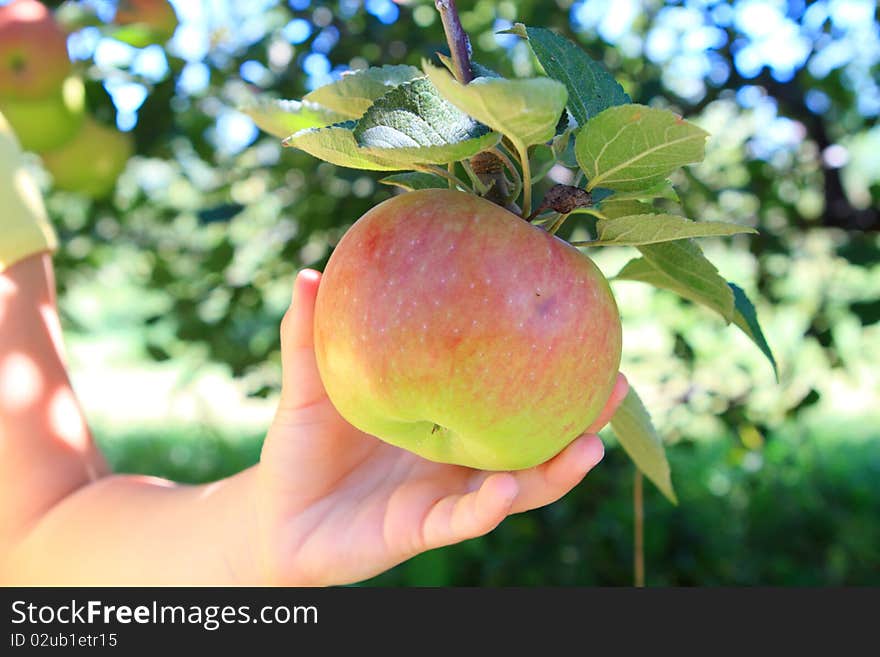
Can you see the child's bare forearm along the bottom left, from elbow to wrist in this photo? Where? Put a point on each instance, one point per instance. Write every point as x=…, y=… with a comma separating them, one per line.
x=131, y=530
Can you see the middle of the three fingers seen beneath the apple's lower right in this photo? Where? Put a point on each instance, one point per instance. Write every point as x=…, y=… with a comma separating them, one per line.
x=549, y=481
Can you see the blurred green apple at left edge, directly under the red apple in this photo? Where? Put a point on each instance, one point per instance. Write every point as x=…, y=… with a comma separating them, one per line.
x=46, y=123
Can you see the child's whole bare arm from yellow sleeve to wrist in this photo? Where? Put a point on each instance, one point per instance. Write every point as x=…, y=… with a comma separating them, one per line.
x=65, y=519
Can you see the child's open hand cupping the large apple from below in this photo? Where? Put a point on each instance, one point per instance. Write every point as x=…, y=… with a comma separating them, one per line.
x=336, y=505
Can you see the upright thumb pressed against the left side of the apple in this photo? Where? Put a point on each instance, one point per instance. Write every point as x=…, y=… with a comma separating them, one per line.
x=300, y=382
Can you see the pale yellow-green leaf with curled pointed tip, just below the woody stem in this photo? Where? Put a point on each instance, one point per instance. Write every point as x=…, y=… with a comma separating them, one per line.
x=526, y=111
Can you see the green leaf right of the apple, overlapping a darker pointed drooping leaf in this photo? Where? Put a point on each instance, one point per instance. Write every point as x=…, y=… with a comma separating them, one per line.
x=682, y=268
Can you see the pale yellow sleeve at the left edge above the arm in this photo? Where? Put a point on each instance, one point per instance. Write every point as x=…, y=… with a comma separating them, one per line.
x=24, y=224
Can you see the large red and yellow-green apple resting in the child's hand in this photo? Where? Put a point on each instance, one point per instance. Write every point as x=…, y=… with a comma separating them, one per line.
x=448, y=326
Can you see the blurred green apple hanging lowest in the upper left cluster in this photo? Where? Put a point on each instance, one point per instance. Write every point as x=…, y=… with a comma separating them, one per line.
x=91, y=162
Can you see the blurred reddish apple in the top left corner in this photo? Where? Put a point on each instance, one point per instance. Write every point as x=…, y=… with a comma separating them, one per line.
x=33, y=51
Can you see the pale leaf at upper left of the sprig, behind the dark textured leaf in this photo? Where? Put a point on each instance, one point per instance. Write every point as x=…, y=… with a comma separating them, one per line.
x=354, y=92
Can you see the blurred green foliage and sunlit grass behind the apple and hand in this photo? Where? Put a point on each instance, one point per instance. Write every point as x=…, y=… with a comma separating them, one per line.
x=173, y=284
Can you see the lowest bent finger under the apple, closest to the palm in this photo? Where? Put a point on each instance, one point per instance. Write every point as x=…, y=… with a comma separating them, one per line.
x=459, y=517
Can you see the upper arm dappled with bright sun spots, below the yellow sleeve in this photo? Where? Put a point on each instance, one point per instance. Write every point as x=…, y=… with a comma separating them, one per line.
x=46, y=450
